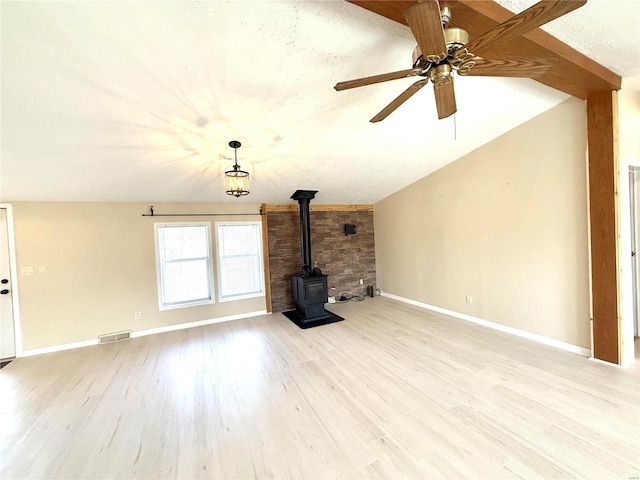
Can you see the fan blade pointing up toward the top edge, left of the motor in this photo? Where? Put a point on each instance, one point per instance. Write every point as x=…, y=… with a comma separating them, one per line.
x=425, y=23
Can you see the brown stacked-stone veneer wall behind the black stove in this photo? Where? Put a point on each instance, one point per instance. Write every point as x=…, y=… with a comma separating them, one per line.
x=345, y=259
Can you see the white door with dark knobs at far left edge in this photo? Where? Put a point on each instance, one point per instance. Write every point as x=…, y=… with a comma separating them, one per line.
x=7, y=326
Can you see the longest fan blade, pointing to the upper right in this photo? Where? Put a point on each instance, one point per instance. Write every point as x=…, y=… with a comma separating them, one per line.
x=534, y=16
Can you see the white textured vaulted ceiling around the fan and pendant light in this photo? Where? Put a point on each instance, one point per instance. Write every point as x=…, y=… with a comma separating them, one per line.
x=137, y=101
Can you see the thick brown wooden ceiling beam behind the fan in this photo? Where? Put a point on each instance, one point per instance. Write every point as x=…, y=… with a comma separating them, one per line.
x=575, y=73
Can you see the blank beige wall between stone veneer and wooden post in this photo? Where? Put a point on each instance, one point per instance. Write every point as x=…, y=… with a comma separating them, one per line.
x=506, y=224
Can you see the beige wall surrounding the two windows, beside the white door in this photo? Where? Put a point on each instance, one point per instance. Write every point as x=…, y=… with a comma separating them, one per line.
x=100, y=269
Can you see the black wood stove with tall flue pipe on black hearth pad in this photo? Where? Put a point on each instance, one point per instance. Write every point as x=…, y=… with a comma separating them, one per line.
x=309, y=287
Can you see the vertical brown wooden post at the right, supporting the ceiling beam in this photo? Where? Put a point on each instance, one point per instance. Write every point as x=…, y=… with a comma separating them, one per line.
x=602, y=133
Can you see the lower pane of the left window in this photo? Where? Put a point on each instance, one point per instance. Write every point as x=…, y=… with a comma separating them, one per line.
x=186, y=281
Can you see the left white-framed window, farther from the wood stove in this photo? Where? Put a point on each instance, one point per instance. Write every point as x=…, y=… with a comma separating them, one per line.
x=184, y=264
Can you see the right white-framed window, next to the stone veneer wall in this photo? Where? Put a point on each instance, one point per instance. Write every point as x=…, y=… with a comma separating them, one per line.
x=239, y=260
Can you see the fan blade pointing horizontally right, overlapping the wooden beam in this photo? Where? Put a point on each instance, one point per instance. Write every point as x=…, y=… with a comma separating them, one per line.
x=515, y=67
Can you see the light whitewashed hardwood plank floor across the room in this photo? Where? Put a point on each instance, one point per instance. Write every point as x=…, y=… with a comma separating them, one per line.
x=392, y=392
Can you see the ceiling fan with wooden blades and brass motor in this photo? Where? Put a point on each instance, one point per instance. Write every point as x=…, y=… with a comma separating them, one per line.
x=443, y=50
